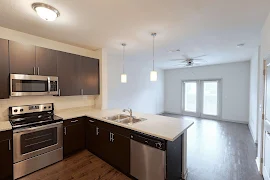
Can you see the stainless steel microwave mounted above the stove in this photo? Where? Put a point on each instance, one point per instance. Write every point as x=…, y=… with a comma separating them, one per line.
x=33, y=85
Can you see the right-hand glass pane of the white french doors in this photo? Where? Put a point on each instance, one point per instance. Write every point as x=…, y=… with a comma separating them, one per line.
x=210, y=98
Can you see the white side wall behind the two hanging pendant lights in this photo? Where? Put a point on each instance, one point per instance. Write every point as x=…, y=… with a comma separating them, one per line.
x=138, y=93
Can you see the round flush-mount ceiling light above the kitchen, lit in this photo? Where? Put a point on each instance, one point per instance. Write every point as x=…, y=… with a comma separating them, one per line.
x=45, y=11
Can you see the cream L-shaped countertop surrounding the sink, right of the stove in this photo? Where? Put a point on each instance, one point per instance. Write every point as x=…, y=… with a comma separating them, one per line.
x=163, y=127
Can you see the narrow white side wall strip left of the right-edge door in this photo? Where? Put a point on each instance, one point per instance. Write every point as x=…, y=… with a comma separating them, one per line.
x=254, y=88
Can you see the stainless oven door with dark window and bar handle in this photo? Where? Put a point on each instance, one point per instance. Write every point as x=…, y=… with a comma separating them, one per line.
x=30, y=142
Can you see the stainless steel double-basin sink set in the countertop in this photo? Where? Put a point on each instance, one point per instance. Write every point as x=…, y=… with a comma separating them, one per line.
x=124, y=119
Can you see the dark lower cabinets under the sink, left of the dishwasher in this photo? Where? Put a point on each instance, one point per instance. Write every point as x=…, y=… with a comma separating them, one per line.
x=108, y=145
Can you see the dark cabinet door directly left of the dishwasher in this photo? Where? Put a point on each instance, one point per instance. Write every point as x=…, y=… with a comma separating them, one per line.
x=120, y=152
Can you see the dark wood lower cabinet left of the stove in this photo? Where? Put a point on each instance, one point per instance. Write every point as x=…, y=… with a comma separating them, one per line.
x=6, y=155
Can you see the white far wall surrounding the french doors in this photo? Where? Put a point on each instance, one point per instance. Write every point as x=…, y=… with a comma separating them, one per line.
x=235, y=88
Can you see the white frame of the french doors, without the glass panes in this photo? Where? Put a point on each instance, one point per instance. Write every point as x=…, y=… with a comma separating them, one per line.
x=199, y=99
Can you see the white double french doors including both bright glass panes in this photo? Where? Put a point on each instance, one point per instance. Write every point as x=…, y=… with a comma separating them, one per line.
x=202, y=98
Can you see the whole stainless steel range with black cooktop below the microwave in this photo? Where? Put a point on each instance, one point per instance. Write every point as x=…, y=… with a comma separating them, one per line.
x=37, y=138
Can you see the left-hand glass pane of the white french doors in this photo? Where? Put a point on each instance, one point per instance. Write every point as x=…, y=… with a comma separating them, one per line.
x=190, y=96
